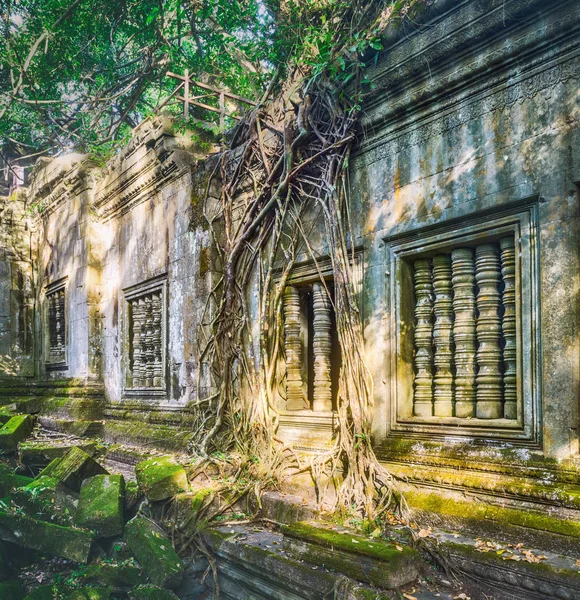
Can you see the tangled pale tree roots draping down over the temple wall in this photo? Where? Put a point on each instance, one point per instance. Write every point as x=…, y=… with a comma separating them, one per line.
x=285, y=163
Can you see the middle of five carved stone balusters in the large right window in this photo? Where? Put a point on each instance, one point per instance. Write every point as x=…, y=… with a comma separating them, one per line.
x=464, y=335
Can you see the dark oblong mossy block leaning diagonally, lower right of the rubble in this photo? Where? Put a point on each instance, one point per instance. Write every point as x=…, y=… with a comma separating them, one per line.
x=154, y=552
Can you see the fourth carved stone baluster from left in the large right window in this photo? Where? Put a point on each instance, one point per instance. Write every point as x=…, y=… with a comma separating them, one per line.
x=488, y=379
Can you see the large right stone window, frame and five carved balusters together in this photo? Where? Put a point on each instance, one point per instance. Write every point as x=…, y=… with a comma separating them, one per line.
x=464, y=316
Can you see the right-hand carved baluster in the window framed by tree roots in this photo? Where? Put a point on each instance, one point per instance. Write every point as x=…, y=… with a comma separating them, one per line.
x=322, y=349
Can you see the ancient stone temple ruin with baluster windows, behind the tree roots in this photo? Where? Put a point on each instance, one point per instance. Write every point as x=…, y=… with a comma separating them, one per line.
x=466, y=209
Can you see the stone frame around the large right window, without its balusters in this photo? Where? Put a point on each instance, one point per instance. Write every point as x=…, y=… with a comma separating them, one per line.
x=520, y=220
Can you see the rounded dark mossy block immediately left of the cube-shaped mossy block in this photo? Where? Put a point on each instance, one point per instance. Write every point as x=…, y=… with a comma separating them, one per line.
x=46, y=499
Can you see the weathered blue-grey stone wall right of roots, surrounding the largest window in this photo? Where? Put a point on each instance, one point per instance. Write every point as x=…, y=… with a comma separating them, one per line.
x=474, y=115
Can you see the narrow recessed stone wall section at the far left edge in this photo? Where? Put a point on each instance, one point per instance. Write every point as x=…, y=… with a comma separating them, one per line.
x=16, y=290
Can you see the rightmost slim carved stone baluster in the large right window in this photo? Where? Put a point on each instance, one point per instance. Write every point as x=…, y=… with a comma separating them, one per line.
x=508, y=271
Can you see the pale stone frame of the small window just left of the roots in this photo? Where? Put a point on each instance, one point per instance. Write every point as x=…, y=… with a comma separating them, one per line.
x=158, y=283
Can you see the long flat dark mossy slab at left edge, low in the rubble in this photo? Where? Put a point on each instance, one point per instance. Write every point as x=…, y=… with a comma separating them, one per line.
x=56, y=540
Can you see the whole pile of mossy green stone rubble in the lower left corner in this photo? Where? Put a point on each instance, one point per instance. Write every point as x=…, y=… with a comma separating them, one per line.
x=76, y=510
